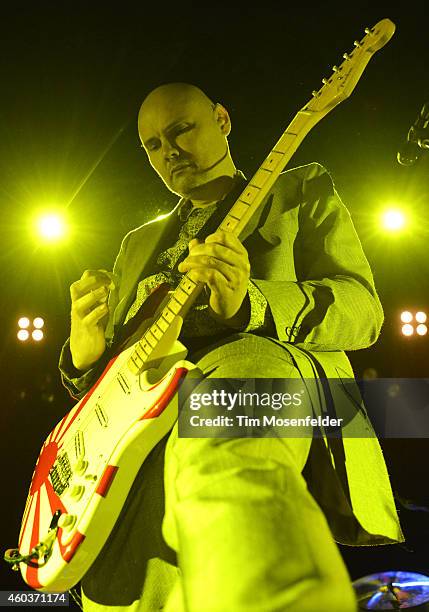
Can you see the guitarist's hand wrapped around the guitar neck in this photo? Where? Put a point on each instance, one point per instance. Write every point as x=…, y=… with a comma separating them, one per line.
x=222, y=263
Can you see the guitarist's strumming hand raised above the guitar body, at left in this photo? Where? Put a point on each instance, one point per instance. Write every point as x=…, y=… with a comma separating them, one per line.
x=89, y=316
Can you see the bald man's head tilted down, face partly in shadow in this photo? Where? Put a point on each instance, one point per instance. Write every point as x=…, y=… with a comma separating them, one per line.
x=184, y=137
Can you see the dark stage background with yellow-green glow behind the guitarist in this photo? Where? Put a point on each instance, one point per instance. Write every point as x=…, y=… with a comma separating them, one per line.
x=72, y=79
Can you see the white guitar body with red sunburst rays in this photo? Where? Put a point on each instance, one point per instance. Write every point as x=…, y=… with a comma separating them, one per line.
x=88, y=463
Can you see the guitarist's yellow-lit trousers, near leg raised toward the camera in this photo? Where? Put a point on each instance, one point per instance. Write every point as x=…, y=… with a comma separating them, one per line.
x=223, y=525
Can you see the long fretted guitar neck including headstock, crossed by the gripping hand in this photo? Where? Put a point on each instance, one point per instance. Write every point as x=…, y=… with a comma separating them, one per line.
x=335, y=89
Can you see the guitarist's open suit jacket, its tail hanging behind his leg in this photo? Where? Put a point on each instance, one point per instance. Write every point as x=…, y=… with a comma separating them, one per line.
x=307, y=261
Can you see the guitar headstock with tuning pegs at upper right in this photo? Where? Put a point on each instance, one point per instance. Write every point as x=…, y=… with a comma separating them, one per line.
x=345, y=76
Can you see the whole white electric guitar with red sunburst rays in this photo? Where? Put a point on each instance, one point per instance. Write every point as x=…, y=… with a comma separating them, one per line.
x=89, y=461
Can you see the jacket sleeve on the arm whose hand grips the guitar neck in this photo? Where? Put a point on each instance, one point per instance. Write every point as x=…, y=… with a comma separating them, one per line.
x=333, y=304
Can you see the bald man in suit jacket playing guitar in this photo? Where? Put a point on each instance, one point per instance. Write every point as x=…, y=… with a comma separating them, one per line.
x=238, y=525
